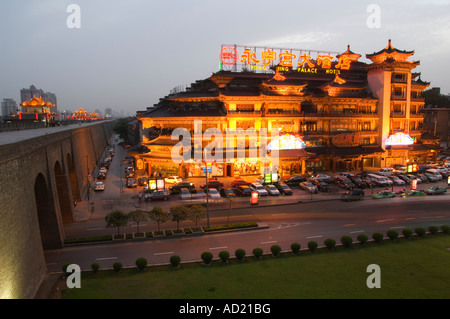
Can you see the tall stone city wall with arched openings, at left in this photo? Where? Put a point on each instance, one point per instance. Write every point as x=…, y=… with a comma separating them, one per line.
x=40, y=178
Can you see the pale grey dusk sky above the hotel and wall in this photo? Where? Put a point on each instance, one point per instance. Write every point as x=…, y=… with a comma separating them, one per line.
x=127, y=54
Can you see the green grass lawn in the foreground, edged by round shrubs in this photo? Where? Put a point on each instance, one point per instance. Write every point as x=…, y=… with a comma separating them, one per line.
x=414, y=268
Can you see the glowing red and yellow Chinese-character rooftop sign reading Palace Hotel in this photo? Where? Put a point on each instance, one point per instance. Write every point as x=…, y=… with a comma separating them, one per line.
x=261, y=59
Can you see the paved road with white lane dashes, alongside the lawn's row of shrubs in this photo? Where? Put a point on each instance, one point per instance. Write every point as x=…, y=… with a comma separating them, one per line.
x=294, y=223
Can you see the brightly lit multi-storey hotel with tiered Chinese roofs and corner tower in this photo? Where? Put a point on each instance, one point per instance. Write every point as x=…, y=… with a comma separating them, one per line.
x=344, y=111
